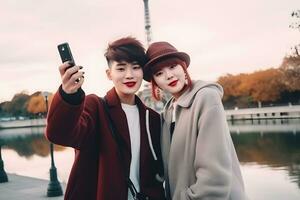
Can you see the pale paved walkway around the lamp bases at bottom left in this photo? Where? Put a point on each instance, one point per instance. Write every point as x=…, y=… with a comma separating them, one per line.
x=25, y=188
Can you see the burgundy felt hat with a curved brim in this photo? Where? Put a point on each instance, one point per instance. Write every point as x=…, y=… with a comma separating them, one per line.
x=158, y=51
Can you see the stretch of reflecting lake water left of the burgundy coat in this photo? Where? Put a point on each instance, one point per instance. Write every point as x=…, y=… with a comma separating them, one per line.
x=25, y=151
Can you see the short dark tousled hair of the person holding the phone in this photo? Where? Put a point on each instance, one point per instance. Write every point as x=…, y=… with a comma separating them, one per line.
x=126, y=49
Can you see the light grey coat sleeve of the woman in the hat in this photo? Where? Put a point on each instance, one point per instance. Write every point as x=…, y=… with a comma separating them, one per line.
x=212, y=161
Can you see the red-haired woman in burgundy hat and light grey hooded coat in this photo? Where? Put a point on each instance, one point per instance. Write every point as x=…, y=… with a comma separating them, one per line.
x=199, y=158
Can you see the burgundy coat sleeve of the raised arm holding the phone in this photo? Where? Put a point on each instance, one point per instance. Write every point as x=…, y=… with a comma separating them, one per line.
x=72, y=125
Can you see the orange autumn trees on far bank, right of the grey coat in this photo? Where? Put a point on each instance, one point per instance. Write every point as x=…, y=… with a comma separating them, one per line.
x=272, y=86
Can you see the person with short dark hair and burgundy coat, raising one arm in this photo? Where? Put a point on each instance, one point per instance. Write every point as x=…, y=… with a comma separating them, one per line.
x=107, y=163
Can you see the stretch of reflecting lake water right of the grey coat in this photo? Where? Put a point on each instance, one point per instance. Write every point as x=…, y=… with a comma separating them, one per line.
x=269, y=152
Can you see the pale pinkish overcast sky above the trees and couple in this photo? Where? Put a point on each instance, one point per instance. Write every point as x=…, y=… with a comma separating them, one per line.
x=232, y=36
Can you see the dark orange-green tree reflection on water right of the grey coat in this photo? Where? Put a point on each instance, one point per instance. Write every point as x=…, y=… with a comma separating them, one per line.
x=278, y=151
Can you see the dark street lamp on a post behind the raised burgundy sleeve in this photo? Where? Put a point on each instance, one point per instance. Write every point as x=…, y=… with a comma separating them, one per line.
x=54, y=188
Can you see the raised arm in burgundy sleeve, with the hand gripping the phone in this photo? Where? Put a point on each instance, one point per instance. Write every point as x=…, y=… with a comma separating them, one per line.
x=71, y=120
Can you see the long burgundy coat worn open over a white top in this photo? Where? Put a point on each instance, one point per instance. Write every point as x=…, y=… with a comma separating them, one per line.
x=97, y=173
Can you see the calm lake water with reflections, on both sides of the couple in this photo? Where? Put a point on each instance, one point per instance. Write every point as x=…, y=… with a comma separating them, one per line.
x=268, y=150
